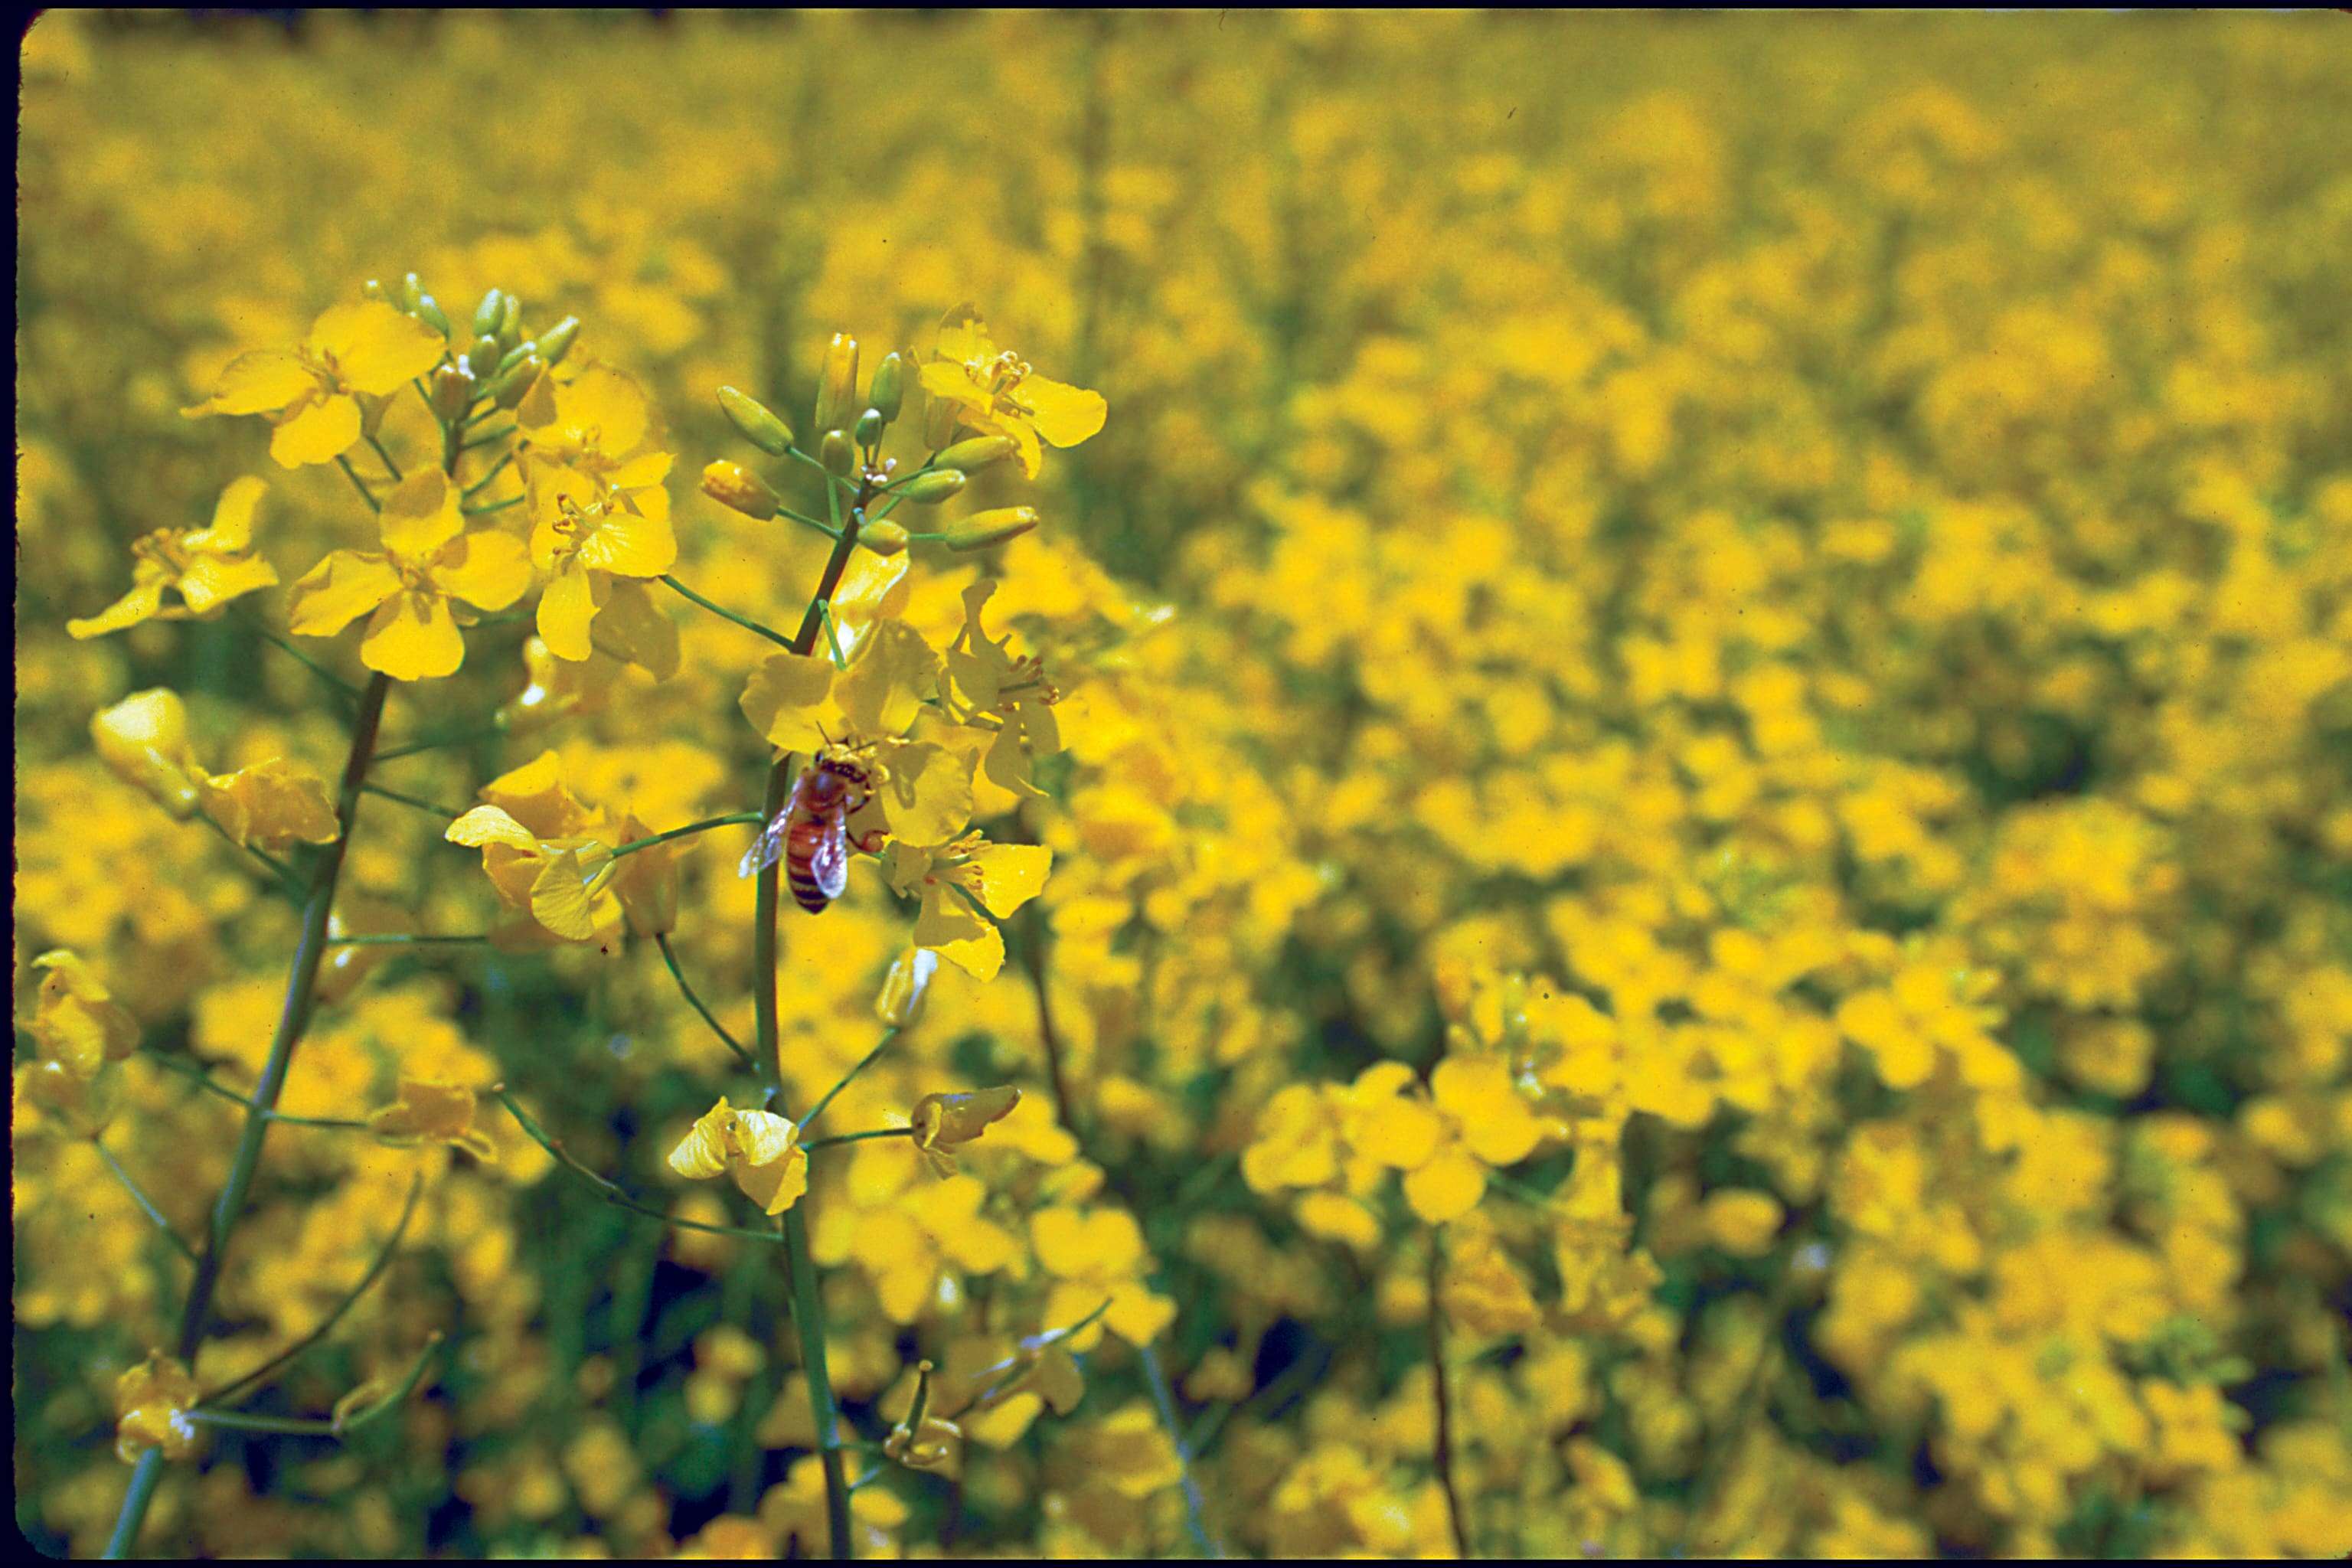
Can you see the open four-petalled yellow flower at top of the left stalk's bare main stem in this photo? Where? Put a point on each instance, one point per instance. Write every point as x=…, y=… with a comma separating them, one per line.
x=427, y=563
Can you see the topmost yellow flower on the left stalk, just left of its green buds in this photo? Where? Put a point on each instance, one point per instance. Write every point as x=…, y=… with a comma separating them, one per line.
x=314, y=391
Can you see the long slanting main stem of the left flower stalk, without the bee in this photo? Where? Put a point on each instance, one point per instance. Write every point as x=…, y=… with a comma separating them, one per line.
x=293, y=1019
